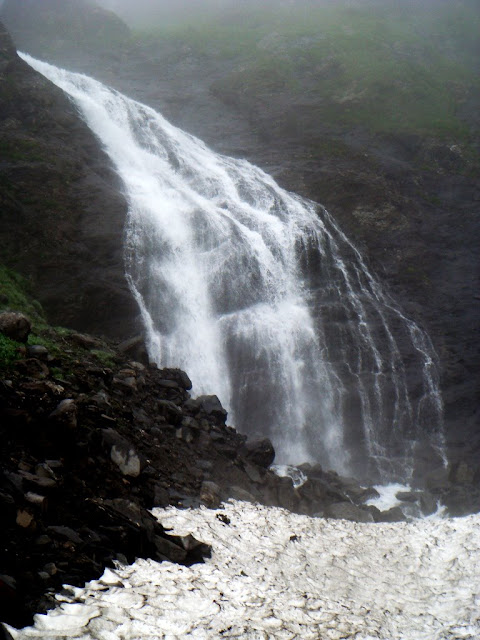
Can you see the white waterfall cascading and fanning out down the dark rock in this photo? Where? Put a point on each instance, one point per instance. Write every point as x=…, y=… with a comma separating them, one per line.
x=258, y=295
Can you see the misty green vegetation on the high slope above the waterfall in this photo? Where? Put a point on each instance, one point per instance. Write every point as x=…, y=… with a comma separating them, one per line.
x=388, y=67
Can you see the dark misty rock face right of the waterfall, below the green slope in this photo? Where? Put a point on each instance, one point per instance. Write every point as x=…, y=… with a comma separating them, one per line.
x=408, y=200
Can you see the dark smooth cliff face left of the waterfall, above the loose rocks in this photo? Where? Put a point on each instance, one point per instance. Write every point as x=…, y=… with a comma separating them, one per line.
x=62, y=212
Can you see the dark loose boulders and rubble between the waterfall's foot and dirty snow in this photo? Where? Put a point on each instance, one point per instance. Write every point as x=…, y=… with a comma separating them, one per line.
x=93, y=436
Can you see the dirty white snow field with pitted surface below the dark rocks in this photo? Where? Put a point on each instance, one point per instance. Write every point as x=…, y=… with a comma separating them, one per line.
x=278, y=575
